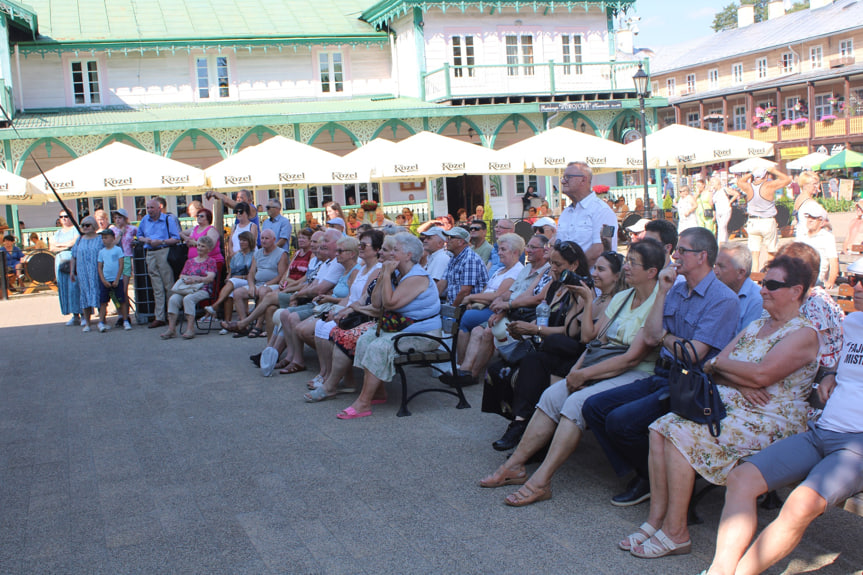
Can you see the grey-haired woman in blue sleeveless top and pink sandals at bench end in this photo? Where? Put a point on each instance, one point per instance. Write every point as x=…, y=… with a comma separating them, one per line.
x=411, y=307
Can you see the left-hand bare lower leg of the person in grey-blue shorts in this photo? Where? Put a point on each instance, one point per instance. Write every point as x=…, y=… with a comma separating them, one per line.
x=739, y=518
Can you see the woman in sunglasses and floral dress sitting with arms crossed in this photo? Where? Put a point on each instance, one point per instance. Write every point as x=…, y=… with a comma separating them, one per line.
x=764, y=377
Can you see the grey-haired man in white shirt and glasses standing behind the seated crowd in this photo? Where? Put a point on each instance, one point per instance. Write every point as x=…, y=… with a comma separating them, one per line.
x=582, y=221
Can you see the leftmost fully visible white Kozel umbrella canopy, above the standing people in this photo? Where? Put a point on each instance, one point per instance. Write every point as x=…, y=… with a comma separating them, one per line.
x=120, y=168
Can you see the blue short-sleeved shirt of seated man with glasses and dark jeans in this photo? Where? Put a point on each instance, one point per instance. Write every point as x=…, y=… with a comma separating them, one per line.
x=709, y=314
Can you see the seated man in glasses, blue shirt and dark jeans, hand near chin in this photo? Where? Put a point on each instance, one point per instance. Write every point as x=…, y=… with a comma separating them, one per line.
x=701, y=309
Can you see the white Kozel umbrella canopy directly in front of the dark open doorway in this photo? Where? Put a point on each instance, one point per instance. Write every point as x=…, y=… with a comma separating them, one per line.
x=429, y=155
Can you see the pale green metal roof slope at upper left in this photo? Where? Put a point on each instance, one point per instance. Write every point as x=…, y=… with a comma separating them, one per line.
x=159, y=20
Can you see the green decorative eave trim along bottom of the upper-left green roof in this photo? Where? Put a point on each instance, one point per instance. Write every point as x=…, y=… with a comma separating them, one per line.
x=134, y=45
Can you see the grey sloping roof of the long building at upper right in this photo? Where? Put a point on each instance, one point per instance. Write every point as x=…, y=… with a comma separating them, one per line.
x=842, y=15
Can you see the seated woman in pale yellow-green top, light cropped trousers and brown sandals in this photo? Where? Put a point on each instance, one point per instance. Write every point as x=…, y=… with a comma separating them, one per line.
x=557, y=418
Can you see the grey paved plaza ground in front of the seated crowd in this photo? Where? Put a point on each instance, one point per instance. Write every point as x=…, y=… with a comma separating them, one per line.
x=122, y=453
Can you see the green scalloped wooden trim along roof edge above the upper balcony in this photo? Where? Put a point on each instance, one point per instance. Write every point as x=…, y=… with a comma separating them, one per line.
x=386, y=11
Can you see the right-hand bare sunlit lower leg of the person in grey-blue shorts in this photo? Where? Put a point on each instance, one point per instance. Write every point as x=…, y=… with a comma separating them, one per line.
x=781, y=537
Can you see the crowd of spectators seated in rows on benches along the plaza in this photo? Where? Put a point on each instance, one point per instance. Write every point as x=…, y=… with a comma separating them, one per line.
x=349, y=291
